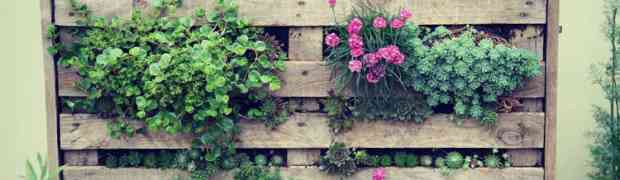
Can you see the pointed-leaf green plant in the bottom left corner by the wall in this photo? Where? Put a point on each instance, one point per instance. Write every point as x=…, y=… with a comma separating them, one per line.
x=42, y=171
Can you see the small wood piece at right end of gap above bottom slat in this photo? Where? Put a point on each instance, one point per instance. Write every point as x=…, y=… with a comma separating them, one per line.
x=525, y=157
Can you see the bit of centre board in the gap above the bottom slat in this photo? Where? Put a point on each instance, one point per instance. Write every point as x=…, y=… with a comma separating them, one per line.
x=302, y=157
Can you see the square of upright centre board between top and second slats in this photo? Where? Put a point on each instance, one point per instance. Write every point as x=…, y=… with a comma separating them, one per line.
x=305, y=44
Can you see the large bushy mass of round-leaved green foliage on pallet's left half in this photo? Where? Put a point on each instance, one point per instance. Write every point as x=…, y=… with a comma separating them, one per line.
x=178, y=76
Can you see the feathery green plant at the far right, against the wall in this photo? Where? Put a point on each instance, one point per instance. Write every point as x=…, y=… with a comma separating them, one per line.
x=606, y=148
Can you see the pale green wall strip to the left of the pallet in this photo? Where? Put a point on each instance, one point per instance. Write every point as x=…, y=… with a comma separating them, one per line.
x=23, y=129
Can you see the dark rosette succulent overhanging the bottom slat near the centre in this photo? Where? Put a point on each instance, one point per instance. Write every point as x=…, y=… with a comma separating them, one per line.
x=338, y=160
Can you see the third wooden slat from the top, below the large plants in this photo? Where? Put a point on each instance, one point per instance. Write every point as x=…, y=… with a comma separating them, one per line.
x=311, y=130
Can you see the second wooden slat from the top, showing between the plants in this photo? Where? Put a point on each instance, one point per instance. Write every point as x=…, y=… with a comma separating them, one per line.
x=301, y=79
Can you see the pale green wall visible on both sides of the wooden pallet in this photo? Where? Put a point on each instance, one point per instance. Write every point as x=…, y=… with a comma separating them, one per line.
x=22, y=132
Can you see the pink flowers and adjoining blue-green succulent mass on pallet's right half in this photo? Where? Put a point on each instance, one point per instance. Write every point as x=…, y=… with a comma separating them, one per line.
x=383, y=57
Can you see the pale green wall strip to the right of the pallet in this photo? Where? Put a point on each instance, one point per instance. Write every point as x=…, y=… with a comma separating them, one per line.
x=581, y=44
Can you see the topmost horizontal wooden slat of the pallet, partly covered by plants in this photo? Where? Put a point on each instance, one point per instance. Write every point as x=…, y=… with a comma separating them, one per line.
x=318, y=13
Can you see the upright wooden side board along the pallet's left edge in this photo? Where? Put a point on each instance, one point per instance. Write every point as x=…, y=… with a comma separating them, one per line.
x=49, y=72
